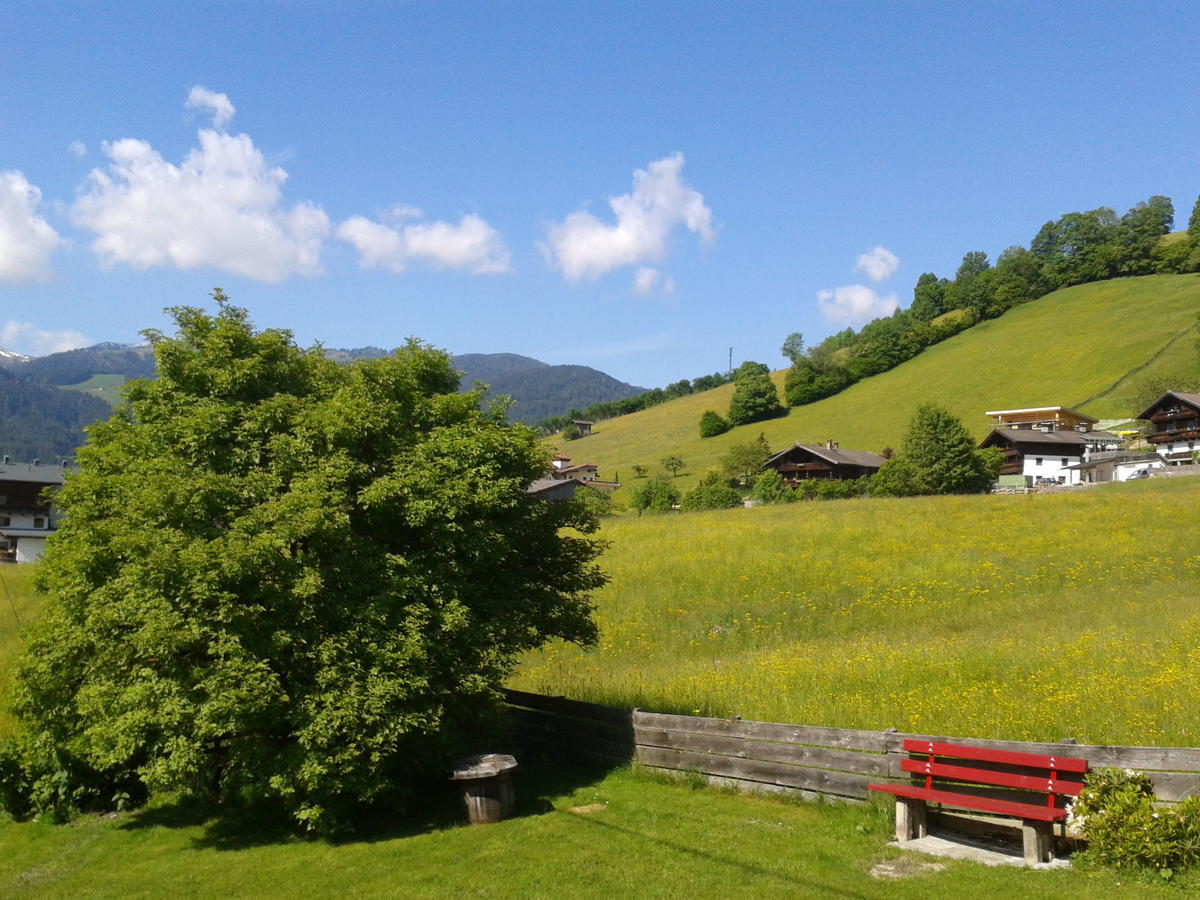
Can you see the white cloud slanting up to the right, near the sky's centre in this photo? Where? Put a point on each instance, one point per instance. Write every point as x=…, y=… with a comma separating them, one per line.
x=584, y=248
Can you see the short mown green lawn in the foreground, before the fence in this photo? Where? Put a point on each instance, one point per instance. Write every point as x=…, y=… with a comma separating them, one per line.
x=622, y=835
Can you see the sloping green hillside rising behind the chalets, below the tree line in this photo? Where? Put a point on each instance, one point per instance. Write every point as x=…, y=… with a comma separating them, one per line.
x=1087, y=347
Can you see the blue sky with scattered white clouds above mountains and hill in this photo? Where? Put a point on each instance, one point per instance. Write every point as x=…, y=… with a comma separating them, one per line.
x=632, y=187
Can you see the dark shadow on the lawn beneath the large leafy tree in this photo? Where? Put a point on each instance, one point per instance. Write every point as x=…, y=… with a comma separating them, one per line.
x=435, y=806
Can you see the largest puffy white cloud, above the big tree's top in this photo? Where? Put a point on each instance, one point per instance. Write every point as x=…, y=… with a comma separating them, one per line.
x=221, y=208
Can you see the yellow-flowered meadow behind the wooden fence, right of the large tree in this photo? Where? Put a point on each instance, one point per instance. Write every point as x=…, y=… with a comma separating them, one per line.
x=1024, y=617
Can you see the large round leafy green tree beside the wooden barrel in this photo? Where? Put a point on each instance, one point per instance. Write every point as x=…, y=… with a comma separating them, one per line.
x=280, y=578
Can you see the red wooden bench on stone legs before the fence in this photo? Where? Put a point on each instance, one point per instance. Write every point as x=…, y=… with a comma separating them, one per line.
x=1031, y=789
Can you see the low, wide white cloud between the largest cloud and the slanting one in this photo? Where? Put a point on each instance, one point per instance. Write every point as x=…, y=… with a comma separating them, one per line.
x=472, y=244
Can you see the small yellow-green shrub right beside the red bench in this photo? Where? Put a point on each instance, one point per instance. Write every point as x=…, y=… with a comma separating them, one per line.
x=1125, y=830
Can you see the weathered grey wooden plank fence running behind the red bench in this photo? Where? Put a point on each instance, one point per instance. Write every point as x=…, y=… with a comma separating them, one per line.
x=767, y=757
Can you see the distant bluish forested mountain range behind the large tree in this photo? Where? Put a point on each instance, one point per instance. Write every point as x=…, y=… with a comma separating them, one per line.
x=47, y=401
